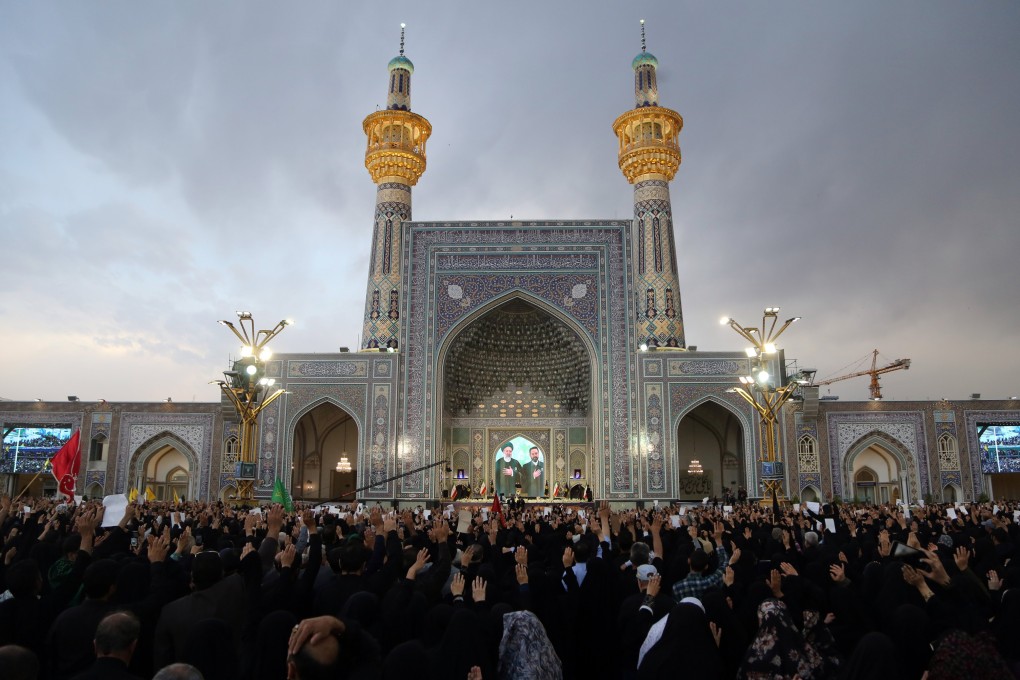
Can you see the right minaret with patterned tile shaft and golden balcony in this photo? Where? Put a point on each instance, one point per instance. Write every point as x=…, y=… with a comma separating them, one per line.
x=649, y=158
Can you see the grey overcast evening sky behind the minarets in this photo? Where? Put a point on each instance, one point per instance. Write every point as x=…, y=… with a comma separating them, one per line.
x=164, y=165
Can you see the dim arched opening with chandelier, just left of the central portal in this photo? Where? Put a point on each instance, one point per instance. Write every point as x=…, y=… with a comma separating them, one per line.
x=325, y=462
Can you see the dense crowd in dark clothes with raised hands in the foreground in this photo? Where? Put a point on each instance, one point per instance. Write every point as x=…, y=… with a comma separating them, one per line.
x=529, y=592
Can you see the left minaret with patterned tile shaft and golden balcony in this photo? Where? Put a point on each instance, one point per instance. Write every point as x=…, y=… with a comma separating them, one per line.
x=396, y=160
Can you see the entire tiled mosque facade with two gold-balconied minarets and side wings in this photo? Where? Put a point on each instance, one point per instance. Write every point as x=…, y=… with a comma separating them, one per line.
x=565, y=337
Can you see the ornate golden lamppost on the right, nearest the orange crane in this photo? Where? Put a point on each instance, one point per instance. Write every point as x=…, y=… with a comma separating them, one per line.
x=768, y=393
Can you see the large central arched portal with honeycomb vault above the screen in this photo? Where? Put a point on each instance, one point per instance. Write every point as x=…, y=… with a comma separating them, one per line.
x=520, y=370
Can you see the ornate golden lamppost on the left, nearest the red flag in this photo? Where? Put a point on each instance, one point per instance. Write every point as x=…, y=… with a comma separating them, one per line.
x=250, y=392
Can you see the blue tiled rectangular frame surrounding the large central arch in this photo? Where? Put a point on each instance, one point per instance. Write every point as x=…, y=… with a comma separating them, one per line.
x=576, y=269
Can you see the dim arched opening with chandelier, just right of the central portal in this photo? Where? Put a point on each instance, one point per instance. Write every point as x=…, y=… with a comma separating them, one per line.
x=709, y=453
